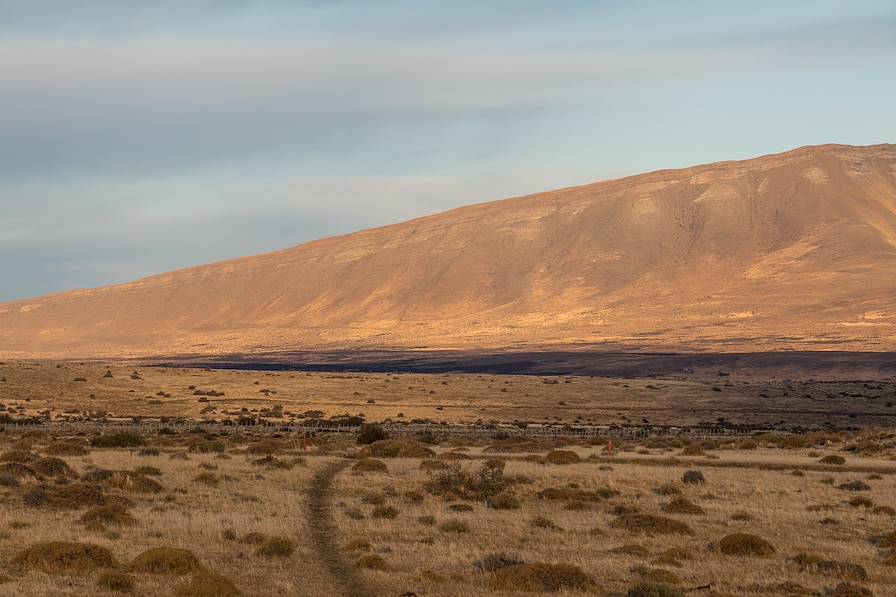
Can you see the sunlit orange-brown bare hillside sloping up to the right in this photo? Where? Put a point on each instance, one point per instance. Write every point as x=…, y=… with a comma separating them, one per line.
x=794, y=250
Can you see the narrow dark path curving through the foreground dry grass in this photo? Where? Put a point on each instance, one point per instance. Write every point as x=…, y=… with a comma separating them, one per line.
x=323, y=534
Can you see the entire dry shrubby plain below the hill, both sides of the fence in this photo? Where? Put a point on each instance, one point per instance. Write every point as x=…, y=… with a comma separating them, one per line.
x=199, y=514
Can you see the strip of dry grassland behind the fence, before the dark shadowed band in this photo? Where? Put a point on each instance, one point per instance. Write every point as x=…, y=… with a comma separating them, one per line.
x=94, y=391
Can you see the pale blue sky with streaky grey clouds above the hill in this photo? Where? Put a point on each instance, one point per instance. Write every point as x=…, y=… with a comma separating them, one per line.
x=141, y=137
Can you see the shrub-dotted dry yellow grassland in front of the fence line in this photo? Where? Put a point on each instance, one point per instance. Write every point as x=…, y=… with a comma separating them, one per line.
x=447, y=516
